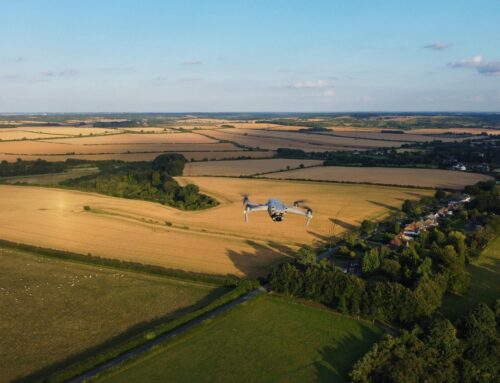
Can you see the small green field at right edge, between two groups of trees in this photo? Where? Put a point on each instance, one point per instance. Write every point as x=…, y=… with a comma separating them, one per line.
x=485, y=283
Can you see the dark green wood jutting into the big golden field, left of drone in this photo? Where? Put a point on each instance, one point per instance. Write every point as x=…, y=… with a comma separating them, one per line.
x=150, y=181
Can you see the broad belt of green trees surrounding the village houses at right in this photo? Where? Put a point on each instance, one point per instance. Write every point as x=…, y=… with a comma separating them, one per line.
x=399, y=283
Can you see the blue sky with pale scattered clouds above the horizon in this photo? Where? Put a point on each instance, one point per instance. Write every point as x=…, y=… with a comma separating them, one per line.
x=249, y=56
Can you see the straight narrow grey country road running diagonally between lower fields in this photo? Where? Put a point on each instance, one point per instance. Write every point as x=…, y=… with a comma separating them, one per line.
x=166, y=337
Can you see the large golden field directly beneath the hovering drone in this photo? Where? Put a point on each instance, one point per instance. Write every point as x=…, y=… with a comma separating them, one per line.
x=215, y=240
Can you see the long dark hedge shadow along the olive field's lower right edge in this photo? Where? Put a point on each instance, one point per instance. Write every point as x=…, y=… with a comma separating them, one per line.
x=43, y=373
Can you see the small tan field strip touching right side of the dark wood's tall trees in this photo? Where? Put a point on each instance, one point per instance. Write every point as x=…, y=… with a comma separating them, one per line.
x=244, y=167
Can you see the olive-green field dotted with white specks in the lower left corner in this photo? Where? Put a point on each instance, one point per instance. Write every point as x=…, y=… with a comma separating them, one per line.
x=52, y=309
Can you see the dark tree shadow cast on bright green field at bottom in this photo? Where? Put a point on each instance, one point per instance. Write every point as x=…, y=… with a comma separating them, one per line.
x=337, y=360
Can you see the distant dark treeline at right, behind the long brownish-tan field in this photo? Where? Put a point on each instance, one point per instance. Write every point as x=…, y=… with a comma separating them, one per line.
x=431, y=154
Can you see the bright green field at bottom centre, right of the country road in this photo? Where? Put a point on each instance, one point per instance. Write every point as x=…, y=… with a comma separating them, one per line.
x=268, y=339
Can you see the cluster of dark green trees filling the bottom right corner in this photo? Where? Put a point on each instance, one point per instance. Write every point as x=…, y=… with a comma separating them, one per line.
x=438, y=351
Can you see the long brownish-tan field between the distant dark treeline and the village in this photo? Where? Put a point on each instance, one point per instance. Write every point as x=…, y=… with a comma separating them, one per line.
x=432, y=178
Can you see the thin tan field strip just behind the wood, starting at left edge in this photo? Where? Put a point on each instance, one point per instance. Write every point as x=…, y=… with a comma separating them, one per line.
x=147, y=156
